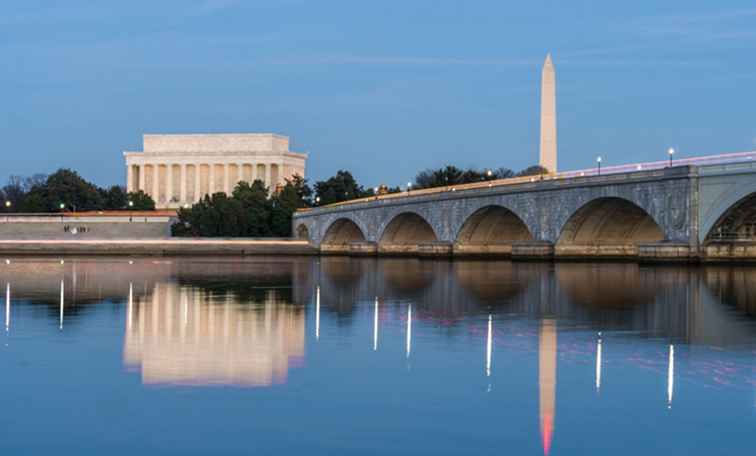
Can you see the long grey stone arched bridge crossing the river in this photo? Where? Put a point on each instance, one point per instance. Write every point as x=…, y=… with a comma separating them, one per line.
x=683, y=212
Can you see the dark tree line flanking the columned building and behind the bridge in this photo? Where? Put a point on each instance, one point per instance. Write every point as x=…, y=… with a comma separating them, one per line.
x=251, y=210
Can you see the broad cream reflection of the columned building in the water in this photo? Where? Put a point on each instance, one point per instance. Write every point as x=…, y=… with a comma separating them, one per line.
x=184, y=335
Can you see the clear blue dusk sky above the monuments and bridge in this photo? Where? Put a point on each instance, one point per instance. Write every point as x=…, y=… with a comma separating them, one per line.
x=383, y=89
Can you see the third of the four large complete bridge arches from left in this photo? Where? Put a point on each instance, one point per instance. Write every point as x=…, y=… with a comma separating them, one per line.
x=492, y=228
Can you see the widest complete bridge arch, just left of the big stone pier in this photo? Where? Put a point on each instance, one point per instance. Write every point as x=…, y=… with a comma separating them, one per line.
x=610, y=222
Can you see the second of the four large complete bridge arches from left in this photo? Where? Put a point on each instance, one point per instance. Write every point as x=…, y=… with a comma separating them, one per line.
x=404, y=232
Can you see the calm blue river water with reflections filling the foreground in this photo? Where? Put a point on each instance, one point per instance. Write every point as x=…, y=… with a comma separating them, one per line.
x=363, y=356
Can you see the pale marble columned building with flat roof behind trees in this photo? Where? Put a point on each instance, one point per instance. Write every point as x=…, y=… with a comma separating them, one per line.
x=180, y=169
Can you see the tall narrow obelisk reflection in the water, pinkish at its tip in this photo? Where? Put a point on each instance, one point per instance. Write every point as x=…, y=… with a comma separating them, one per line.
x=547, y=345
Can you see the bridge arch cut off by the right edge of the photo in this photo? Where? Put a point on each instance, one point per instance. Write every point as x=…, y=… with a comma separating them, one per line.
x=735, y=218
